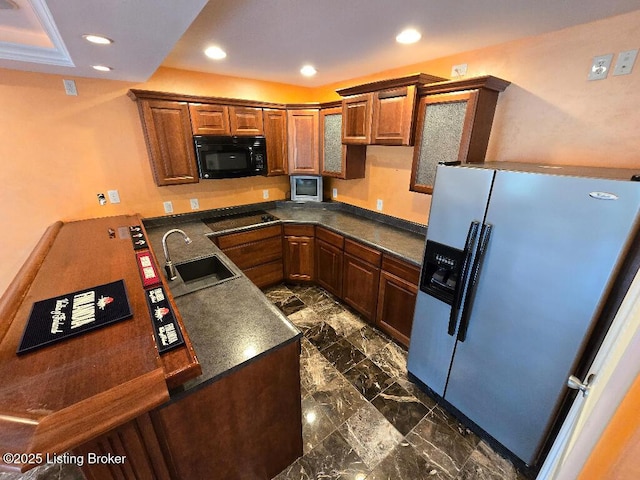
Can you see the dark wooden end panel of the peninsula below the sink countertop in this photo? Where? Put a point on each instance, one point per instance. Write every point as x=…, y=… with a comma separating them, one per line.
x=245, y=426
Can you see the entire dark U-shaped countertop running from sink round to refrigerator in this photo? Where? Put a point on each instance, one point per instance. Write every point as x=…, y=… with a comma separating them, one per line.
x=232, y=323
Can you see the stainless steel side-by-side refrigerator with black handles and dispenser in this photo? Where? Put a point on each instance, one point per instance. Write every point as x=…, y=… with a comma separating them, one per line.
x=516, y=267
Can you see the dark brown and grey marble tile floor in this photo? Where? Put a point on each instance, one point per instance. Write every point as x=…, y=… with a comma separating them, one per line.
x=362, y=417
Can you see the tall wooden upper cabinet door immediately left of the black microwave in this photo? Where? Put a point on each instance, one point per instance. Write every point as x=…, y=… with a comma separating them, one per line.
x=169, y=140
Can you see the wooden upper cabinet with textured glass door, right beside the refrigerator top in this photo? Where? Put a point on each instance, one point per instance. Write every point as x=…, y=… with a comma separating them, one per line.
x=454, y=123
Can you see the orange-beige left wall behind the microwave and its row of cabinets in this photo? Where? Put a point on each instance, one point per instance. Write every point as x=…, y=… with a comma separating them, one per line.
x=57, y=152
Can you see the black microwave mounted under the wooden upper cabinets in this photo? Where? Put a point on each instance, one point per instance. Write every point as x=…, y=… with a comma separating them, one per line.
x=230, y=157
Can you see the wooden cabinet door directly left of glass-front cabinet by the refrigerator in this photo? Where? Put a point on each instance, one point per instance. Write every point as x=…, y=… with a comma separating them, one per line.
x=393, y=112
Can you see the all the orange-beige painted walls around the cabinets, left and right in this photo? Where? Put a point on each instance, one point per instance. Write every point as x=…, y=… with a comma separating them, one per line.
x=57, y=151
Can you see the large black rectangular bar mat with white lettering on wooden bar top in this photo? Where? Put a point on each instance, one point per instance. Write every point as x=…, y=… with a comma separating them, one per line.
x=65, y=316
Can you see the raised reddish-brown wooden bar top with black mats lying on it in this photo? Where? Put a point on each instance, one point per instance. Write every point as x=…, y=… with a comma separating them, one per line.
x=57, y=397
